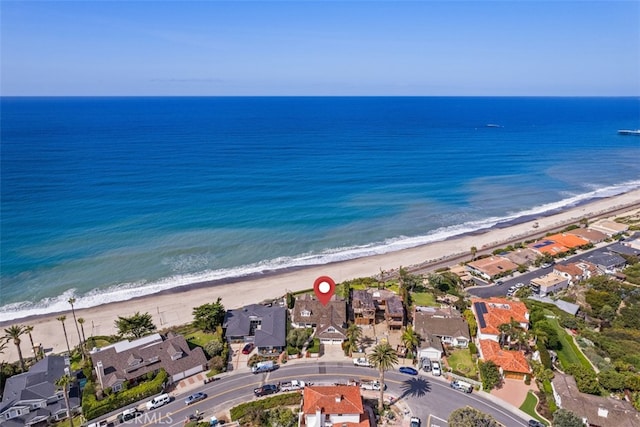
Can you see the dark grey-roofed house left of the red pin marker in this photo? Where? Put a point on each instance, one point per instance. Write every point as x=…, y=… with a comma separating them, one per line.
x=262, y=325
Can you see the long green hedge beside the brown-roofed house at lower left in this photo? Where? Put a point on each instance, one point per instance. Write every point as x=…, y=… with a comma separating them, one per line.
x=93, y=408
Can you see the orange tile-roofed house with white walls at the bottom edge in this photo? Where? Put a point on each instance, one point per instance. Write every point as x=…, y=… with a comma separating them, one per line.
x=339, y=406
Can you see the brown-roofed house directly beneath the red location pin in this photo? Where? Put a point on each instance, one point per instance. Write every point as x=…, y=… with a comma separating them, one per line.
x=329, y=321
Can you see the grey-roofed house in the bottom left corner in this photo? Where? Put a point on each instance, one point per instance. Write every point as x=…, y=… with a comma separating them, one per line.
x=33, y=399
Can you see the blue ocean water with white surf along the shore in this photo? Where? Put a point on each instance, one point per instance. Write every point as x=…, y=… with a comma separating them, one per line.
x=109, y=198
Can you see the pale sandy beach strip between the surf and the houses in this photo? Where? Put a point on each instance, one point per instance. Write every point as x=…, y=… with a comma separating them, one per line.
x=175, y=307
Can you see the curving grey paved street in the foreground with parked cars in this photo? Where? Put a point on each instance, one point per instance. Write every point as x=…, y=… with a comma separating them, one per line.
x=424, y=395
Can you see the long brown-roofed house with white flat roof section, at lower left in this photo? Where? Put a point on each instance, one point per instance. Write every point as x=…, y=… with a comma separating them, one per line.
x=128, y=362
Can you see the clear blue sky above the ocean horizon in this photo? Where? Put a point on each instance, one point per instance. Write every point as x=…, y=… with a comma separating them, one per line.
x=539, y=48
